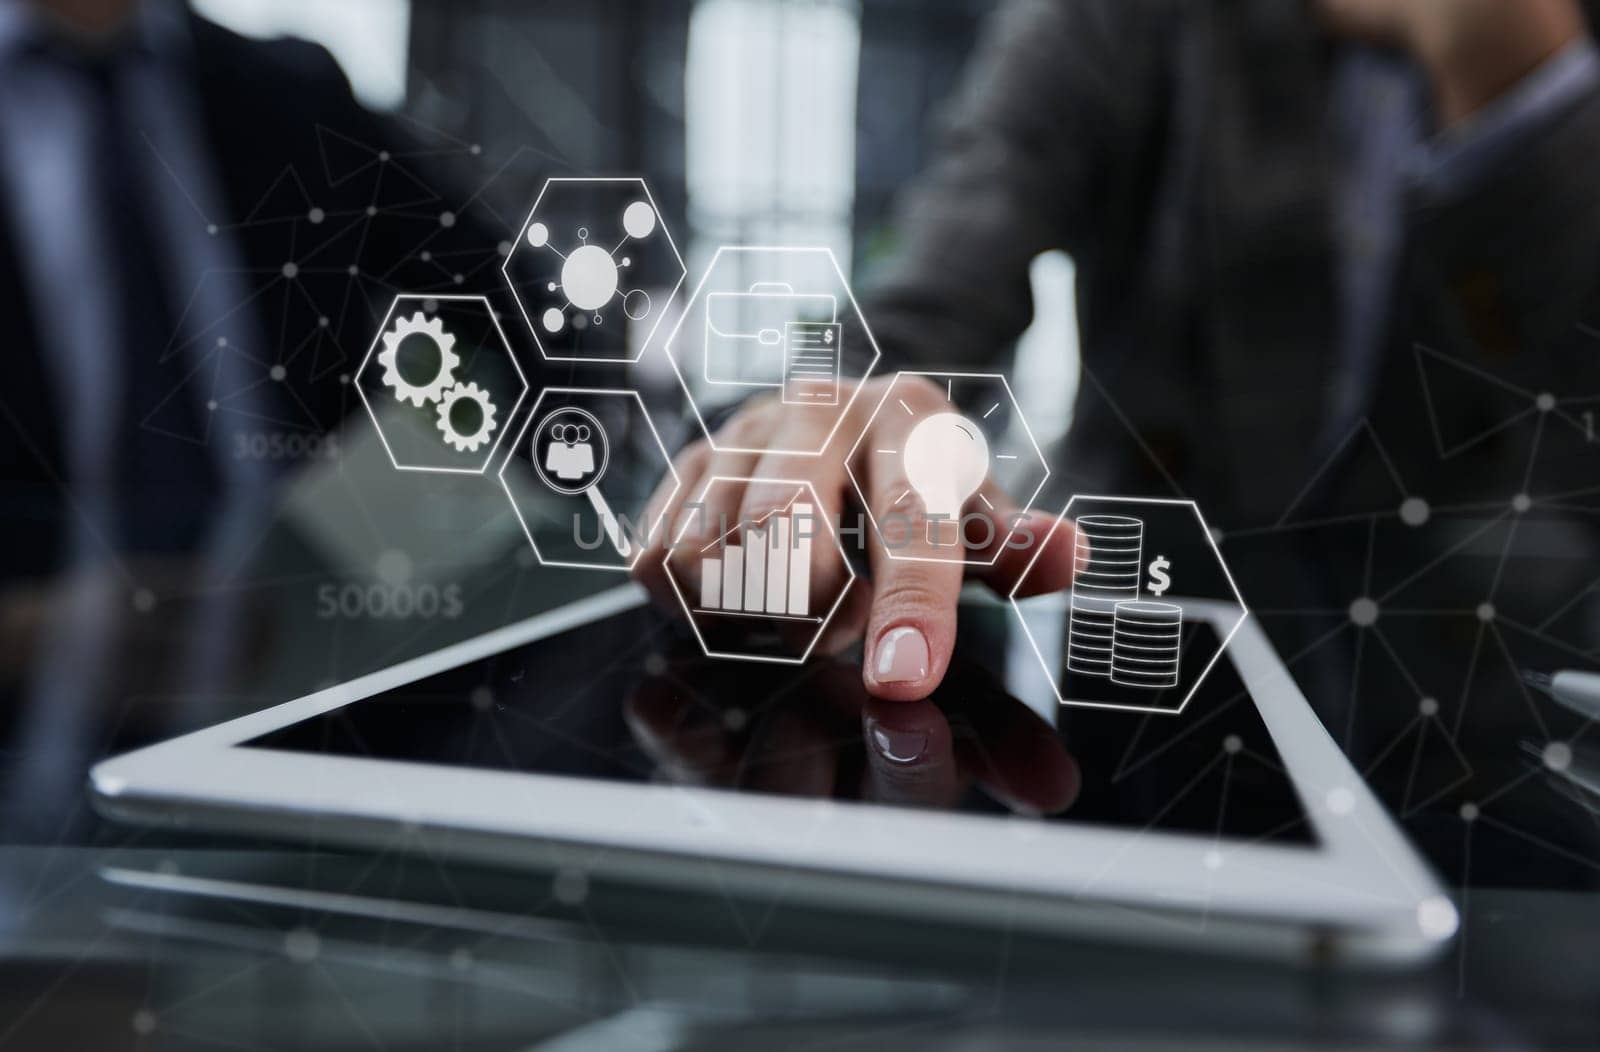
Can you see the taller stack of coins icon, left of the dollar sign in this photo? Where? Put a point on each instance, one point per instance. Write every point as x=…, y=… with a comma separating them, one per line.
x=1108, y=559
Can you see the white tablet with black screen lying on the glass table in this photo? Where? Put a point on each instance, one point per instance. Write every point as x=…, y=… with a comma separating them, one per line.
x=599, y=736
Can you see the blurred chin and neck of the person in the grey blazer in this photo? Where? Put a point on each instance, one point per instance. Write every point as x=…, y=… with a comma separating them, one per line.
x=1473, y=50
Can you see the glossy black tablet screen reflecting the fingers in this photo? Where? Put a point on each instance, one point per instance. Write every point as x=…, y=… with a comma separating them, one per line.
x=631, y=698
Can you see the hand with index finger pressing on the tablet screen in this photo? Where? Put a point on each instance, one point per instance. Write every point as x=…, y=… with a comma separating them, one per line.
x=908, y=610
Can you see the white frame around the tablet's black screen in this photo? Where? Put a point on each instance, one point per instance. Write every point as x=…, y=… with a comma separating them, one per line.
x=1362, y=885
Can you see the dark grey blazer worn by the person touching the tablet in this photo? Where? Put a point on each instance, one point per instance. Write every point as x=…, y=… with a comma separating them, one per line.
x=1182, y=154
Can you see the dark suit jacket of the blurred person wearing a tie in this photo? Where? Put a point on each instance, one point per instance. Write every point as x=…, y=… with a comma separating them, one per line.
x=286, y=135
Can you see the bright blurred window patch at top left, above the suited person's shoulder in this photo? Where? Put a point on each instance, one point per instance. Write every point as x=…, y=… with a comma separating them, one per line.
x=369, y=38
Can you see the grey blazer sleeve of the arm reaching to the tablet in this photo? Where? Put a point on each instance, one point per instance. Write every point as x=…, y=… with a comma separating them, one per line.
x=1054, y=94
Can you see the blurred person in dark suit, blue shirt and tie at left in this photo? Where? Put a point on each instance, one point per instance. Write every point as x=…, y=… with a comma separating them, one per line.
x=199, y=234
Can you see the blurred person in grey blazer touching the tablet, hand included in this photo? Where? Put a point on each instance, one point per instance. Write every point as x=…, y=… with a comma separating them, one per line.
x=1270, y=205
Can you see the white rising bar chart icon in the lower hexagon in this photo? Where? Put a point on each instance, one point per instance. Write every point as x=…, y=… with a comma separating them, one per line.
x=762, y=568
